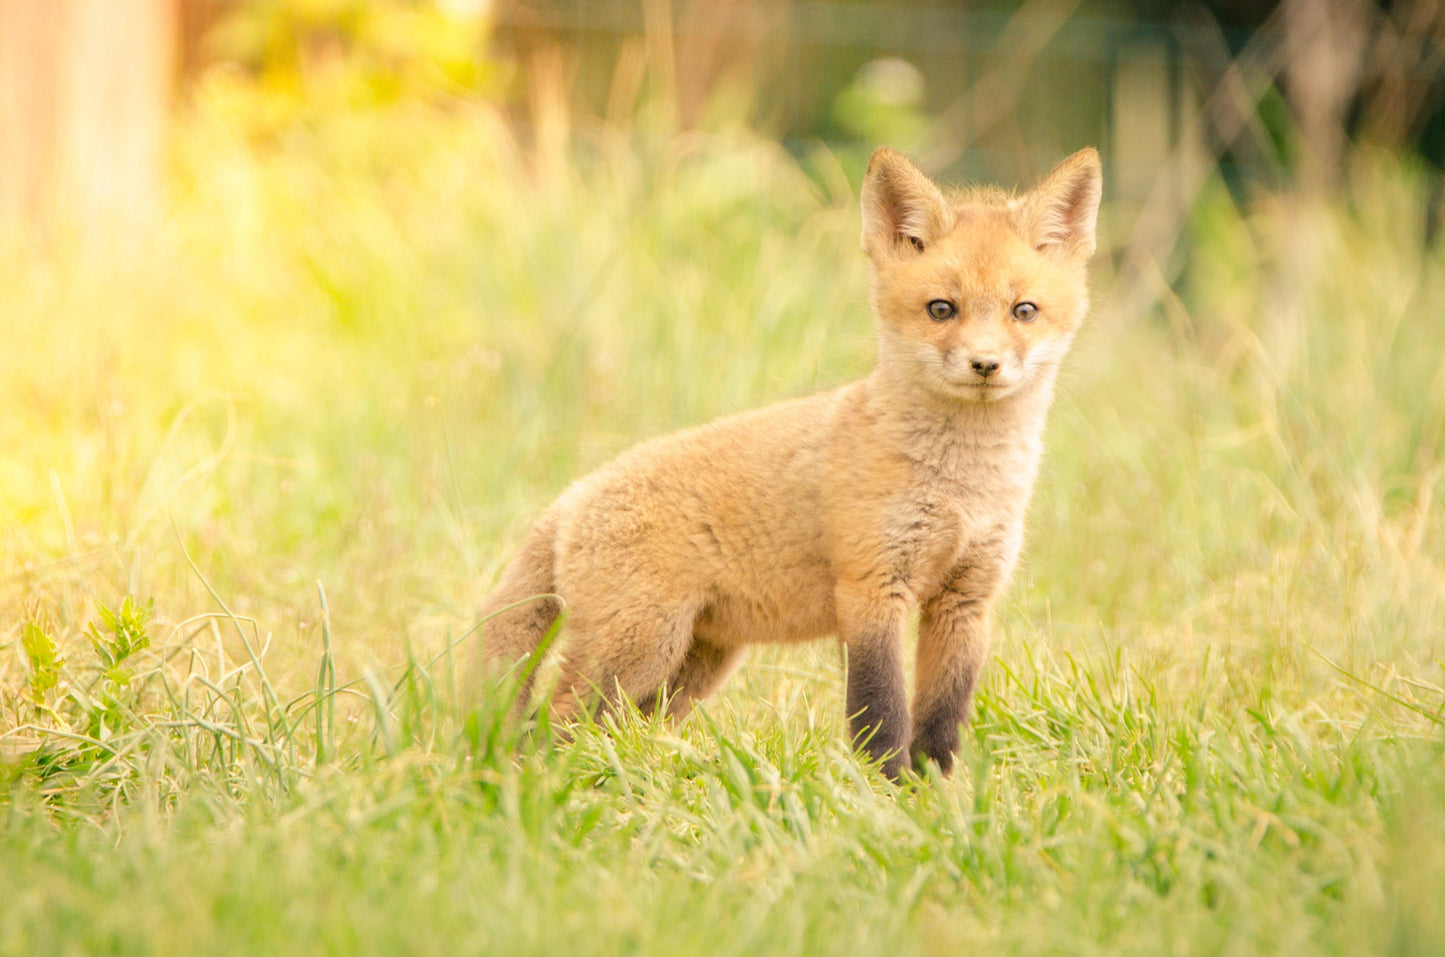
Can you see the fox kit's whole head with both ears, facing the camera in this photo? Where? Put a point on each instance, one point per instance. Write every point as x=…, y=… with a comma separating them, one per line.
x=979, y=296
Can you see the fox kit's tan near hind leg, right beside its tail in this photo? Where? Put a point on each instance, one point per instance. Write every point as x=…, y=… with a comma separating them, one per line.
x=631, y=653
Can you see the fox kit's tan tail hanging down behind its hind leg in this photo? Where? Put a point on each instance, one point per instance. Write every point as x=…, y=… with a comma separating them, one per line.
x=522, y=609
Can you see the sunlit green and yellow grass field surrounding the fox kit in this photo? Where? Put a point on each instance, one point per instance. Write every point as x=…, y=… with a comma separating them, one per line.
x=310, y=414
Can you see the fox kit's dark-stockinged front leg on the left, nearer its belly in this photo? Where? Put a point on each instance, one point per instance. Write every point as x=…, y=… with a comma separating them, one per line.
x=872, y=631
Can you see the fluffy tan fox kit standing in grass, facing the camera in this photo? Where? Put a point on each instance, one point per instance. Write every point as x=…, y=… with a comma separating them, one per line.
x=842, y=512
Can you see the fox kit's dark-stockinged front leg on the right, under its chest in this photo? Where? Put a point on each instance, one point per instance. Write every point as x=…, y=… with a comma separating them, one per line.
x=953, y=645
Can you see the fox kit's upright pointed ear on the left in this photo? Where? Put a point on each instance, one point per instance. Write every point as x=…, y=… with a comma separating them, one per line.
x=901, y=206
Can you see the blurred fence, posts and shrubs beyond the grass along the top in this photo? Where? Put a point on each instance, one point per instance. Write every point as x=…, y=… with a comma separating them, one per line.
x=1267, y=92
